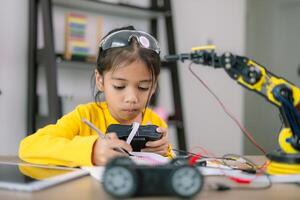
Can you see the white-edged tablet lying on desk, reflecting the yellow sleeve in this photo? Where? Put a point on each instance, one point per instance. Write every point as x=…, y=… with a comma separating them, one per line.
x=27, y=177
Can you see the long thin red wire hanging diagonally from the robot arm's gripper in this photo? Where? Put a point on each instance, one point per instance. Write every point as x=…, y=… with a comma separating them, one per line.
x=244, y=130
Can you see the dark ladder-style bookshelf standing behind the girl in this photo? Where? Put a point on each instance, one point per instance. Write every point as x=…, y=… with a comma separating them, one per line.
x=48, y=58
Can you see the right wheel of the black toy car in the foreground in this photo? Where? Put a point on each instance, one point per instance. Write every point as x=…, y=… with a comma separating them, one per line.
x=186, y=181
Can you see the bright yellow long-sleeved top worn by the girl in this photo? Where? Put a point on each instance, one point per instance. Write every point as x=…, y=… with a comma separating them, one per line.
x=70, y=142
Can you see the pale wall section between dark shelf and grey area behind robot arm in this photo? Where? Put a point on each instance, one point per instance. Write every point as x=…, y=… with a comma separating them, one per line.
x=198, y=22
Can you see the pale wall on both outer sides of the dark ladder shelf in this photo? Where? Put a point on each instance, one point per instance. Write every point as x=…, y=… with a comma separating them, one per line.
x=196, y=22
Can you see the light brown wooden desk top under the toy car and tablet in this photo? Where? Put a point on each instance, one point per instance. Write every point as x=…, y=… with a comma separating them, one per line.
x=87, y=188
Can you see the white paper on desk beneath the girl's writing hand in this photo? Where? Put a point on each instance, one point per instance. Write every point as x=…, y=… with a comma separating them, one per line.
x=140, y=158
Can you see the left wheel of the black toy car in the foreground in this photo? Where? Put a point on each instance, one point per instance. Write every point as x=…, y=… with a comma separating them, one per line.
x=120, y=181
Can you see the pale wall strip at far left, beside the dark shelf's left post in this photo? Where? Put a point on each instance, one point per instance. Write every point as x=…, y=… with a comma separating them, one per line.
x=13, y=73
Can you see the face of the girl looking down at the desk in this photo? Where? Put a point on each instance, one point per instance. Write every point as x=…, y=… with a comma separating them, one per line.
x=126, y=91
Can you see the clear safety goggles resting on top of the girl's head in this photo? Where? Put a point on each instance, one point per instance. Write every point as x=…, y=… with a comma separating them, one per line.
x=123, y=38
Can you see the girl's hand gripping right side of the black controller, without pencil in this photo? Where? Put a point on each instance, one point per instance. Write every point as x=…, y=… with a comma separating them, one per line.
x=159, y=146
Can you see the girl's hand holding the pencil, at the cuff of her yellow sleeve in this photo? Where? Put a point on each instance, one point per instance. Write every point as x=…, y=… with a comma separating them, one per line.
x=106, y=149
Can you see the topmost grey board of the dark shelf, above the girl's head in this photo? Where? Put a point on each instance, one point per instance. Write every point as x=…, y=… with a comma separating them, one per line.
x=111, y=8
